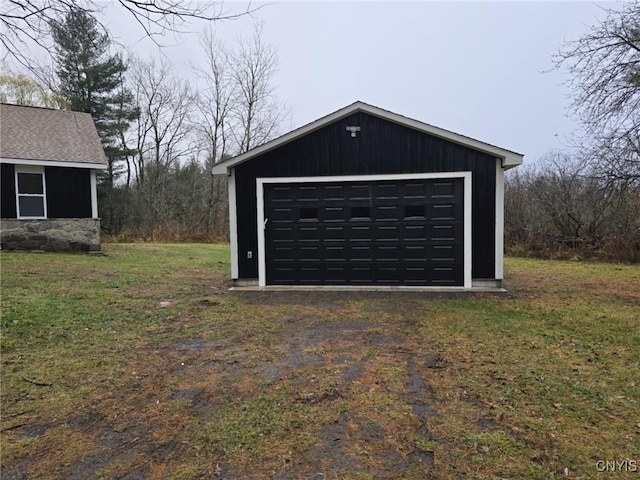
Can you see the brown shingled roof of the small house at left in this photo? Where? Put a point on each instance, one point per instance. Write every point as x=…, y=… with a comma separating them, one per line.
x=42, y=136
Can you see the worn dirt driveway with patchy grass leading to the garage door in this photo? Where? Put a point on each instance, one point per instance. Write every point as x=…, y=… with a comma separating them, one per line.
x=347, y=393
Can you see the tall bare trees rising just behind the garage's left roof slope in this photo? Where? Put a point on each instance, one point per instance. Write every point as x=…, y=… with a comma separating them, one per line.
x=237, y=110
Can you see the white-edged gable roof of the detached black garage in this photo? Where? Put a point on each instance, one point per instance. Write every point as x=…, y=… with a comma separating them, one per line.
x=509, y=158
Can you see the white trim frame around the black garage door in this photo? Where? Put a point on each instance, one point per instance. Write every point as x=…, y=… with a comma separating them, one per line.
x=260, y=183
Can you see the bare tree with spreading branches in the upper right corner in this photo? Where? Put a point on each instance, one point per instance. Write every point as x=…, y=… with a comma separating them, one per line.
x=604, y=65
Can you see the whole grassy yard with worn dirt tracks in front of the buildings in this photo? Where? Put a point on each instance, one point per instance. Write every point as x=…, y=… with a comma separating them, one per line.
x=141, y=365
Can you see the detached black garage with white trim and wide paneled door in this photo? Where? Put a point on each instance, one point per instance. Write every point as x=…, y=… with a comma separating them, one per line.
x=367, y=197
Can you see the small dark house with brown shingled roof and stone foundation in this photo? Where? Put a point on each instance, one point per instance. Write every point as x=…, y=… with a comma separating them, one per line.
x=49, y=159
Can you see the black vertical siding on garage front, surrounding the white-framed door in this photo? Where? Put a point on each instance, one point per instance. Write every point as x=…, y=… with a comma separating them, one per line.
x=381, y=147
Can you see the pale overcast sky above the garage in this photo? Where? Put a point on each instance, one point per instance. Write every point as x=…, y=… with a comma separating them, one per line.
x=481, y=69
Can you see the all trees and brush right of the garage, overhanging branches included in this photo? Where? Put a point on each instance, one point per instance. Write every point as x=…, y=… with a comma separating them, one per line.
x=587, y=204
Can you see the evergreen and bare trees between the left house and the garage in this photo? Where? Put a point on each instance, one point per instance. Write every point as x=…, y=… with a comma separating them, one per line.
x=162, y=134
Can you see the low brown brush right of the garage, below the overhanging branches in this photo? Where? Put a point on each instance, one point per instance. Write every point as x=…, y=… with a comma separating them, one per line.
x=561, y=207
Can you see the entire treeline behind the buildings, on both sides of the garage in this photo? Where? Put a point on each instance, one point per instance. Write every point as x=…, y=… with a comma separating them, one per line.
x=163, y=134
